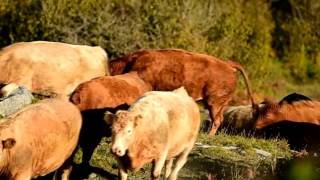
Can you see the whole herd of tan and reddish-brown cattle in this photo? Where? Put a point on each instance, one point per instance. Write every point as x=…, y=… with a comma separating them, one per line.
x=147, y=97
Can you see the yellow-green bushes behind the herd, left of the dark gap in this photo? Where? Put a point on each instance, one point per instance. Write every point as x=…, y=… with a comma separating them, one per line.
x=227, y=29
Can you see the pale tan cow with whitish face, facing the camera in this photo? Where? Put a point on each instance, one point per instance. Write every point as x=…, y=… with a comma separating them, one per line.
x=158, y=127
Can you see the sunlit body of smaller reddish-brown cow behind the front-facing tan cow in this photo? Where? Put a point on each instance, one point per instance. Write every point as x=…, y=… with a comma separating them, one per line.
x=109, y=91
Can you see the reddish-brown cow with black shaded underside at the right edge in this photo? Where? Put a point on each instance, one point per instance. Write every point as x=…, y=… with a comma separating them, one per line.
x=295, y=118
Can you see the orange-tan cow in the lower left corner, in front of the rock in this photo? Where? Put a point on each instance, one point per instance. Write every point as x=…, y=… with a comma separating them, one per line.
x=38, y=139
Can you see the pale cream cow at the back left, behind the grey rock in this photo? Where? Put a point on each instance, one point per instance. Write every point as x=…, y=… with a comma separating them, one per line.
x=51, y=68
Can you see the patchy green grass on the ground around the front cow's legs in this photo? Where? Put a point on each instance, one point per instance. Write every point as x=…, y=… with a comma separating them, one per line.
x=215, y=160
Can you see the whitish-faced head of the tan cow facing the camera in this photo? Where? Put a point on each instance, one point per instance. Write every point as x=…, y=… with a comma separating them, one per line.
x=124, y=125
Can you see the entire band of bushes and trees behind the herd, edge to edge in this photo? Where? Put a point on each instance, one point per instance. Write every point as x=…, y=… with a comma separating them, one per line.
x=277, y=41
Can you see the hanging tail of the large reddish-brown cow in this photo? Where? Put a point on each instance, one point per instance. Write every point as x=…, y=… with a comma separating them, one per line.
x=238, y=67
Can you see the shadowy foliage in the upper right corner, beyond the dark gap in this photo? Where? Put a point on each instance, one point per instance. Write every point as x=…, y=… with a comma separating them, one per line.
x=297, y=37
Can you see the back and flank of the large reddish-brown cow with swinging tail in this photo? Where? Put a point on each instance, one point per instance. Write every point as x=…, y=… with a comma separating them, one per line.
x=170, y=69
